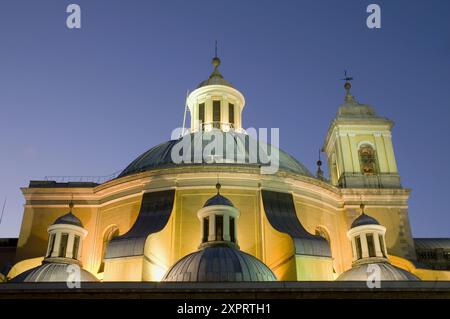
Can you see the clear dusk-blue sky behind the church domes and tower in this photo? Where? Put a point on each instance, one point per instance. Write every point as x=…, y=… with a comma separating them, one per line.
x=87, y=102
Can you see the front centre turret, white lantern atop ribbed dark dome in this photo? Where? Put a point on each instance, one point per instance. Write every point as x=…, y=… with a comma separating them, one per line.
x=219, y=258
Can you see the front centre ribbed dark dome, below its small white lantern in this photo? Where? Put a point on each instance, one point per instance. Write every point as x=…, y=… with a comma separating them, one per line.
x=219, y=263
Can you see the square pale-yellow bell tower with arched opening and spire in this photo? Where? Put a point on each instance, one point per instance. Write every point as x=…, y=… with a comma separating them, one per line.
x=359, y=147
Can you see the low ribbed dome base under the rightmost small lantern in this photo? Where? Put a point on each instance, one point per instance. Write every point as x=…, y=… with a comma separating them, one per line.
x=388, y=272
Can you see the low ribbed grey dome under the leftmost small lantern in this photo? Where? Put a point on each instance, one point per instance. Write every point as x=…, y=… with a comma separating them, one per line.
x=52, y=272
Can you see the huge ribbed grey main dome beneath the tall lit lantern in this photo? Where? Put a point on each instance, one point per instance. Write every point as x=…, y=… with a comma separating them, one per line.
x=160, y=155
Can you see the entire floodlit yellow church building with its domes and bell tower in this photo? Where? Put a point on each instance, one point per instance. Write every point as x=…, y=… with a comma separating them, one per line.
x=139, y=225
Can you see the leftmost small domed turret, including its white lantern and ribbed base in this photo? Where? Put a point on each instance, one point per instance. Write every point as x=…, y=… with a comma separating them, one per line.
x=62, y=259
